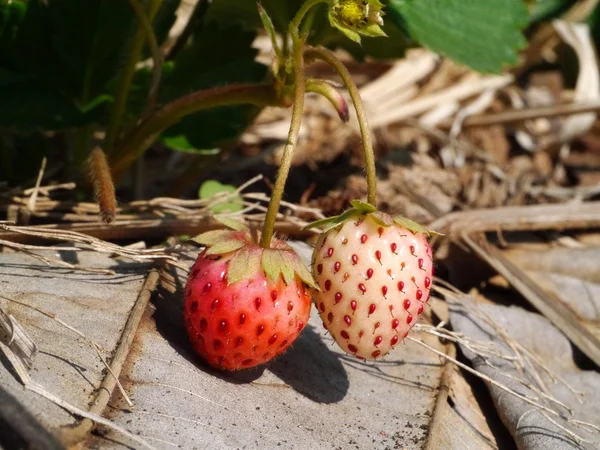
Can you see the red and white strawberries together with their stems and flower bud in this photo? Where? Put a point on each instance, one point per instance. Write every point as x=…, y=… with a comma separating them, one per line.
x=247, y=299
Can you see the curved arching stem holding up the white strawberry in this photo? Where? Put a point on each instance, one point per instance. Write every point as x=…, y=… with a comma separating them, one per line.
x=329, y=57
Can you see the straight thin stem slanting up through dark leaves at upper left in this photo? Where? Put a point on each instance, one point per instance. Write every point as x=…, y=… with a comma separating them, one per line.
x=135, y=50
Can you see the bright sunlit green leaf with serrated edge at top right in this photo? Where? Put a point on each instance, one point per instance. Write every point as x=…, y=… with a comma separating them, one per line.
x=482, y=34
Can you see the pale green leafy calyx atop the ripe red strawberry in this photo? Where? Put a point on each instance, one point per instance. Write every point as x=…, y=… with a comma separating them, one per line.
x=249, y=257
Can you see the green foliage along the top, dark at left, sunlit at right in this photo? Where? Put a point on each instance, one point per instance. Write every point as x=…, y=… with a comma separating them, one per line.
x=60, y=59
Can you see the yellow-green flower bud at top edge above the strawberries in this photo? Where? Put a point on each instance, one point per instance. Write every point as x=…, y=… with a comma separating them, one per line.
x=356, y=17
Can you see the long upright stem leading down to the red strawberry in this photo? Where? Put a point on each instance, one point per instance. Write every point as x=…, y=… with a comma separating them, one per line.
x=298, y=42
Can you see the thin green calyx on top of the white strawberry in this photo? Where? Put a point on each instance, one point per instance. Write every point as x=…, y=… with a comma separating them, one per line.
x=360, y=208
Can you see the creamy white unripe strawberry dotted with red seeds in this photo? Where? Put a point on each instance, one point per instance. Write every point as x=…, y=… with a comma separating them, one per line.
x=375, y=276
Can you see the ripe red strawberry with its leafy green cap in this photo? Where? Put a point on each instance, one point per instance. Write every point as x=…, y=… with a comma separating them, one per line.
x=244, y=305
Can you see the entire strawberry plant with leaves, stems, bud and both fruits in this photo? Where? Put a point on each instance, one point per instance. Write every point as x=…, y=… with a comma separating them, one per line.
x=72, y=65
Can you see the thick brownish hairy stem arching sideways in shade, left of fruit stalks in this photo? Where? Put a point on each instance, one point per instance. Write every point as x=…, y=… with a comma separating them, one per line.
x=141, y=137
